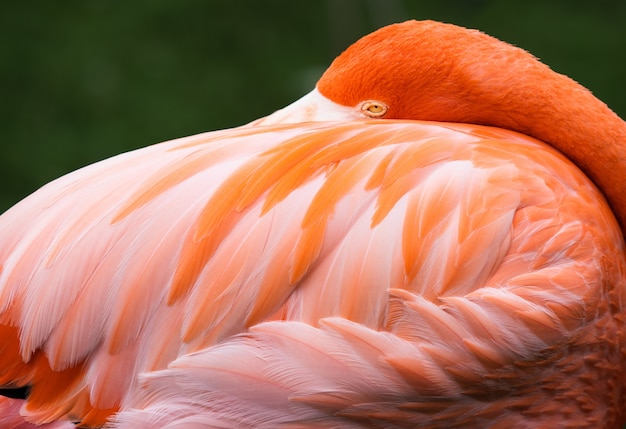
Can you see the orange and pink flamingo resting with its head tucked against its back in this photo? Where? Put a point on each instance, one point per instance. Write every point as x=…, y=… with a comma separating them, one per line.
x=432, y=238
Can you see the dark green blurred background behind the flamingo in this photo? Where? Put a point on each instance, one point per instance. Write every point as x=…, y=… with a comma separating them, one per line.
x=84, y=80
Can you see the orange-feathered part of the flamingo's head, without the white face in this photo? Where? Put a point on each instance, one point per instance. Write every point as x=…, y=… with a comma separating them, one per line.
x=427, y=70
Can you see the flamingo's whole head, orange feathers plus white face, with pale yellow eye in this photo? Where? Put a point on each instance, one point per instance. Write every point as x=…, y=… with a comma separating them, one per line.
x=422, y=70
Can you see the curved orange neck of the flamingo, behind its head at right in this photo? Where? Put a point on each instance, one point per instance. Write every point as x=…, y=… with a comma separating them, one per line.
x=564, y=114
